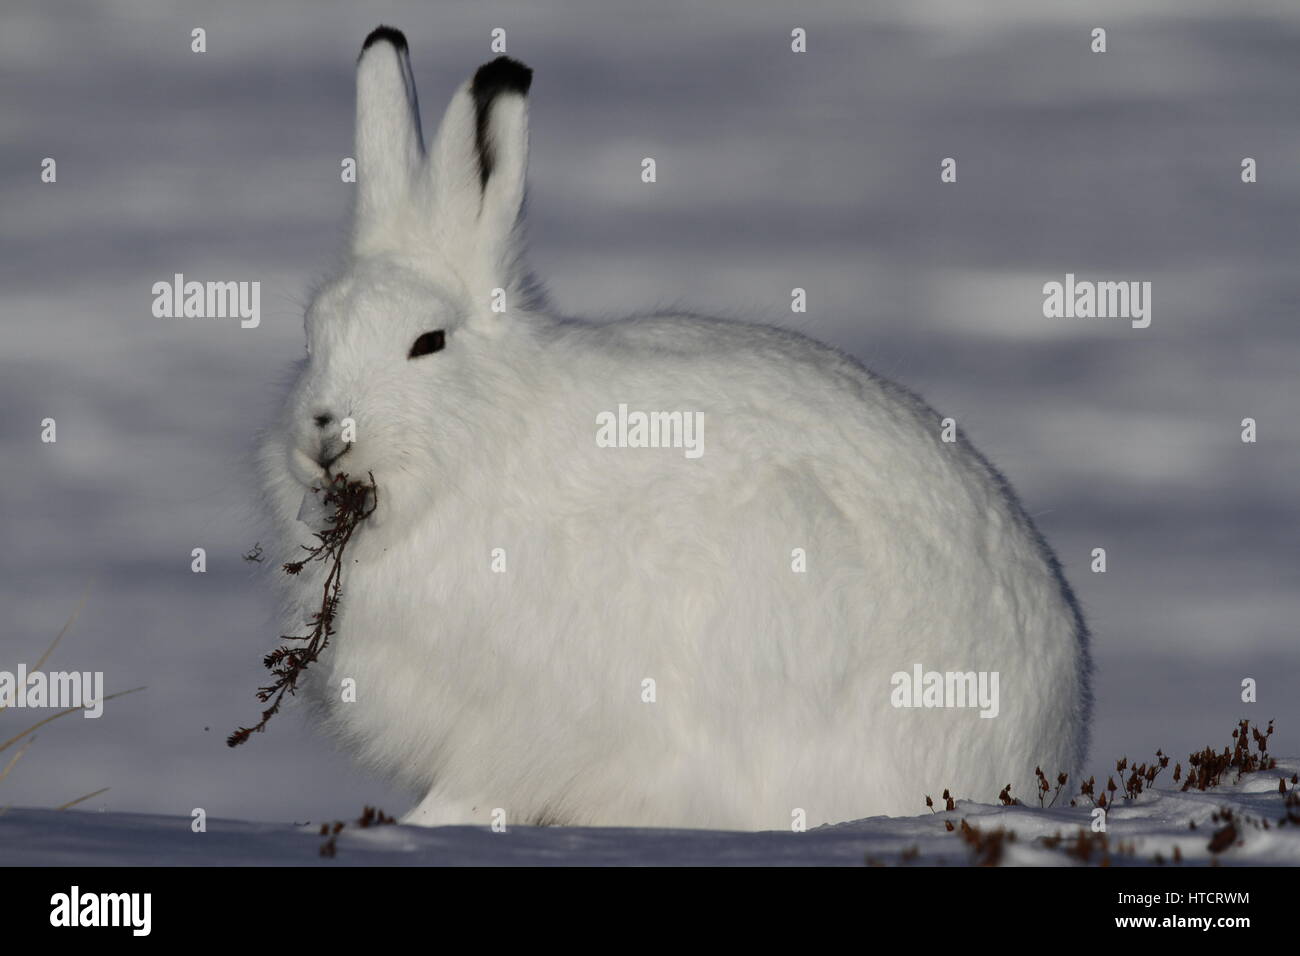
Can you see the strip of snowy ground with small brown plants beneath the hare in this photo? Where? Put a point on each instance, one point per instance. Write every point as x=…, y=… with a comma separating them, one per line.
x=1155, y=824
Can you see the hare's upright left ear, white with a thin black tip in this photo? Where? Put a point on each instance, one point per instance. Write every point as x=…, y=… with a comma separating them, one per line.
x=389, y=146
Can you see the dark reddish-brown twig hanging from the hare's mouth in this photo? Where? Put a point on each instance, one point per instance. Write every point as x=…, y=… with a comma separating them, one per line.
x=354, y=503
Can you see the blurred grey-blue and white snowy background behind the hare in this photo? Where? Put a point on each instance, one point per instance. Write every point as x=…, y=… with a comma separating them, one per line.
x=775, y=171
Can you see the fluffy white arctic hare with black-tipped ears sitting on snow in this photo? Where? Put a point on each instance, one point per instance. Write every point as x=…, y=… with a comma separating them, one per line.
x=666, y=572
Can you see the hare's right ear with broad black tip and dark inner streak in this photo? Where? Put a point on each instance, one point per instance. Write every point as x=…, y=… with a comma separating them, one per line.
x=479, y=165
